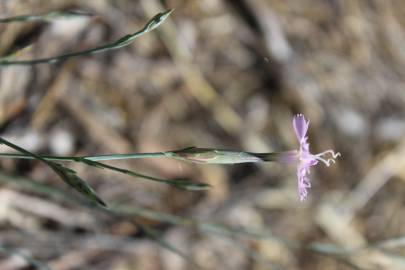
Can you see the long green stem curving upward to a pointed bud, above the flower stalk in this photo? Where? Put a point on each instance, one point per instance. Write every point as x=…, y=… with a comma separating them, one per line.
x=121, y=42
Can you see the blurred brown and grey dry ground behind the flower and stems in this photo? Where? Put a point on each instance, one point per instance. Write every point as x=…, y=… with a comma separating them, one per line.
x=223, y=74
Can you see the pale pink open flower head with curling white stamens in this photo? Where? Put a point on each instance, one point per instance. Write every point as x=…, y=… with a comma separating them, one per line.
x=304, y=158
